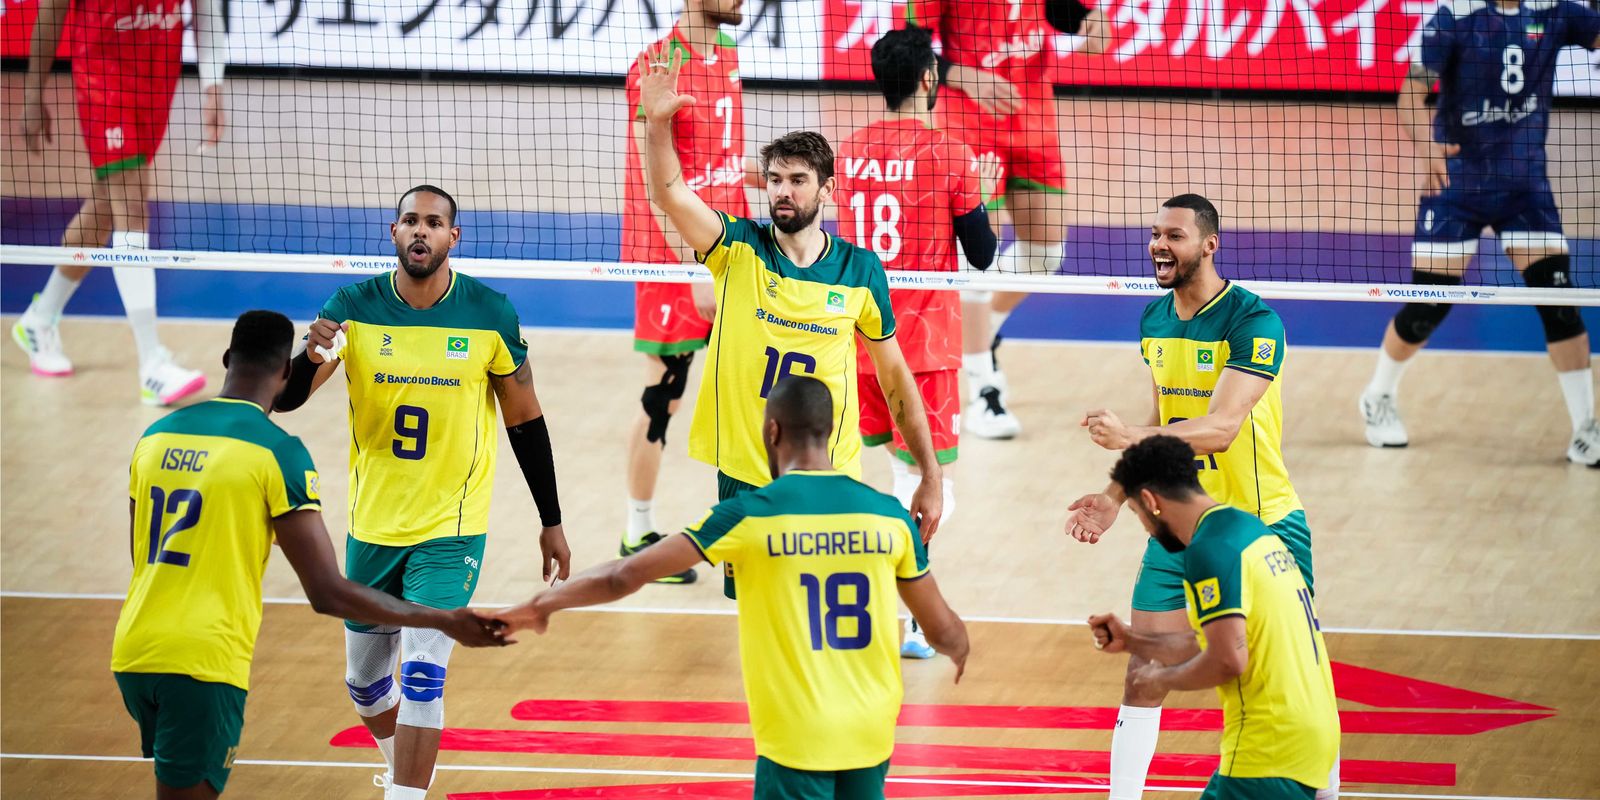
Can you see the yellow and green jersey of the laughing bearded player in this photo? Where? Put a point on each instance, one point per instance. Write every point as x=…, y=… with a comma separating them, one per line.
x=1186, y=358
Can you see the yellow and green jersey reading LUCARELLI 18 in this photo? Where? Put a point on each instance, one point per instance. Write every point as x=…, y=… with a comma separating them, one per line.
x=818, y=558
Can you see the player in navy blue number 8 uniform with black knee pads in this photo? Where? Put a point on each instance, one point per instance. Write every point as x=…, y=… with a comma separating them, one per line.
x=1486, y=167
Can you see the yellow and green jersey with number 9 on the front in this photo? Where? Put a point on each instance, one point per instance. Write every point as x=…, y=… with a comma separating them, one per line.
x=423, y=423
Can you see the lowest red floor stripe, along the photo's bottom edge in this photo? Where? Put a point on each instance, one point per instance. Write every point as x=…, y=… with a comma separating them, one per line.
x=726, y=790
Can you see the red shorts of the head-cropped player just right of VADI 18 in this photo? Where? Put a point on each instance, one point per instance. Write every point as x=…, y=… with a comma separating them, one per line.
x=1028, y=143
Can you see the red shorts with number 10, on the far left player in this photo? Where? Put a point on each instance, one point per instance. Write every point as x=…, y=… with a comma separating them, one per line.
x=124, y=92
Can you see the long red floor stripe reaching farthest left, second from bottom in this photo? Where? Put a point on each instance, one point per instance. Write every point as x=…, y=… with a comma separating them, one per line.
x=948, y=756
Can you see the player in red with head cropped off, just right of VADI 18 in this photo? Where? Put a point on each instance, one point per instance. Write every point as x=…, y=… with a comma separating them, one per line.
x=996, y=62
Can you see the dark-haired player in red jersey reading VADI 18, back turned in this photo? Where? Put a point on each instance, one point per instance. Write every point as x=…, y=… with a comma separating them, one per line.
x=908, y=191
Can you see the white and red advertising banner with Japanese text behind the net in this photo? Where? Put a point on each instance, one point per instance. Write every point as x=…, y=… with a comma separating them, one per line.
x=1282, y=46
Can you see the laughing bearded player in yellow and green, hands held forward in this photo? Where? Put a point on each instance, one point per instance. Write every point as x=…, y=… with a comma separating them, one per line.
x=1215, y=353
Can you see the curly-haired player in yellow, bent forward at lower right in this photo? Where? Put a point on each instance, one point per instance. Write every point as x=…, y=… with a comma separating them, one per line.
x=1255, y=634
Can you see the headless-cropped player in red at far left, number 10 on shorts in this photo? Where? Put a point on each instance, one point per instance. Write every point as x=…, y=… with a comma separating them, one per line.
x=126, y=66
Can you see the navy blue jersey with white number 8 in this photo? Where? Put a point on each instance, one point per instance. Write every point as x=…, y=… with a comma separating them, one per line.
x=1497, y=71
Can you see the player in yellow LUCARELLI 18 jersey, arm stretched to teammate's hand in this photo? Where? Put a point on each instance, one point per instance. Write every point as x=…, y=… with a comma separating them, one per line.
x=817, y=553
